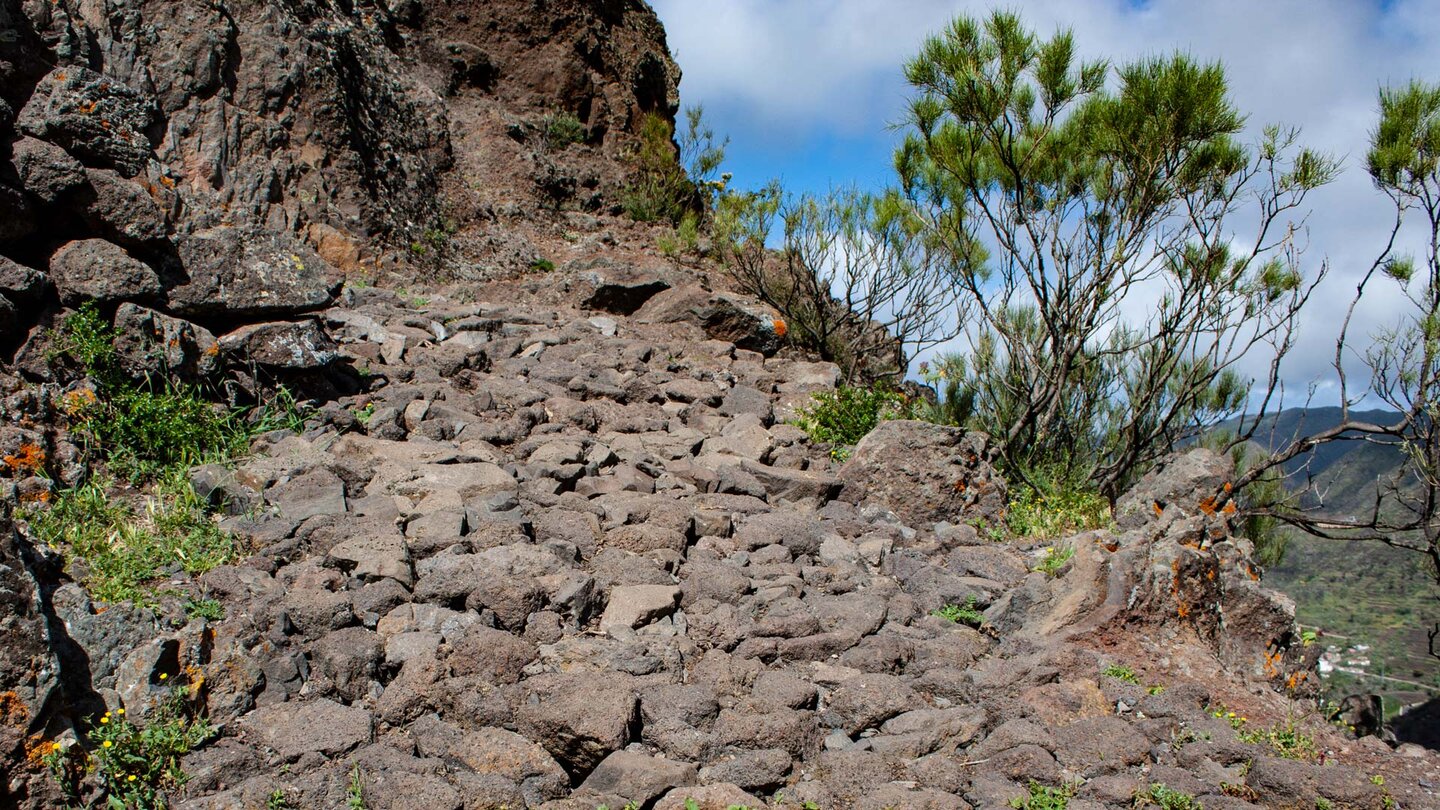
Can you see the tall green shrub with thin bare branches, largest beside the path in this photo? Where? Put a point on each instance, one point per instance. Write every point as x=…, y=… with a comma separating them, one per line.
x=1092, y=194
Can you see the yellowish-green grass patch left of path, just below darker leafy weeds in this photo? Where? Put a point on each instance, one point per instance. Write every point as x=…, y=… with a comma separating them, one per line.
x=122, y=550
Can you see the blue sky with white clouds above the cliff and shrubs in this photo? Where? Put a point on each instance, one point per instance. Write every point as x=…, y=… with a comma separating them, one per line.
x=809, y=92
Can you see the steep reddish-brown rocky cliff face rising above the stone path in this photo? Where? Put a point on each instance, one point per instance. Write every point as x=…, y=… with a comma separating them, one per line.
x=323, y=130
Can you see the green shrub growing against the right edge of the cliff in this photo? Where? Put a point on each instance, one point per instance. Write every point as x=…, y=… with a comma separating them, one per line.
x=673, y=181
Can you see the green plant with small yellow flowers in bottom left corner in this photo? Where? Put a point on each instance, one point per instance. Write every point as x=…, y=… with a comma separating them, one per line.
x=133, y=763
